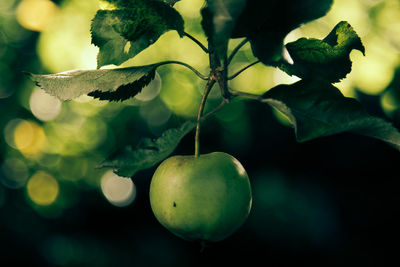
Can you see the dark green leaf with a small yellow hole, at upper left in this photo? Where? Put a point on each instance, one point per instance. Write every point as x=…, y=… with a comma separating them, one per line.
x=124, y=32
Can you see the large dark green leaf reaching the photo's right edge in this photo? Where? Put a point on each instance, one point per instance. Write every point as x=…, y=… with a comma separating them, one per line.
x=317, y=108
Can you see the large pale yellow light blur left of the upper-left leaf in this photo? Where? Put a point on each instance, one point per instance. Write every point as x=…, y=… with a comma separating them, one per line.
x=66, y=43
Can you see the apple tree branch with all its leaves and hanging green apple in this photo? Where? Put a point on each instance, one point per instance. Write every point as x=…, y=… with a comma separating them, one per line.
x=314, y=106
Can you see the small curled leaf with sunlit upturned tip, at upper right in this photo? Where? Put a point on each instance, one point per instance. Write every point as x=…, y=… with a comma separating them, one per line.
x=327, y=59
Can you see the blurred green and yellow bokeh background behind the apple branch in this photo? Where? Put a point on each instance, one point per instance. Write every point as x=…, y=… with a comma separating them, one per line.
x=328, y=202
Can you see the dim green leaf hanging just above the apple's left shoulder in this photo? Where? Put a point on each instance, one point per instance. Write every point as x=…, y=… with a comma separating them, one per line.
x=149, y=152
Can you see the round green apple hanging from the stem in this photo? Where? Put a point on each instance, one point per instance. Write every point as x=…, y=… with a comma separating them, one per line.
x=204, y=199
